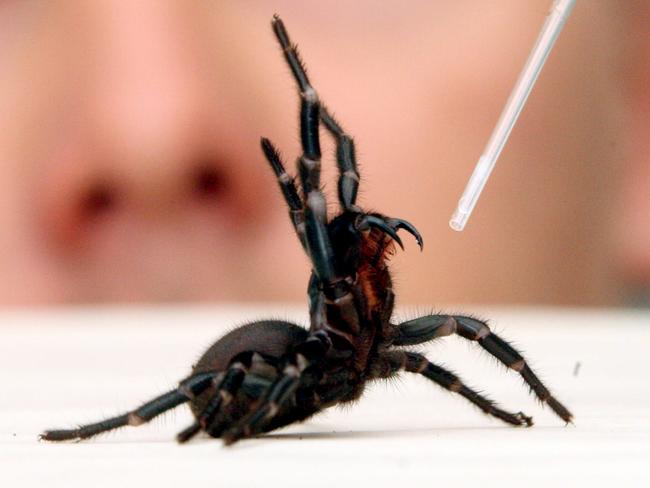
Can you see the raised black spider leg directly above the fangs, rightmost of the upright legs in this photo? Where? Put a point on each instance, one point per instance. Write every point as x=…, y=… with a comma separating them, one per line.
x=348, y=184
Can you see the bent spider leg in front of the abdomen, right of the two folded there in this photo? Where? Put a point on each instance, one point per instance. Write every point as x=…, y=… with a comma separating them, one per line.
x=283, y=390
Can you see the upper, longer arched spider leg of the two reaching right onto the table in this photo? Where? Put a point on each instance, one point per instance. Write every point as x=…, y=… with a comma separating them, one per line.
x=429, y=327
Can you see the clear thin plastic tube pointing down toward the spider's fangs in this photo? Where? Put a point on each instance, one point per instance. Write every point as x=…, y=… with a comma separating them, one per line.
x=555, y=20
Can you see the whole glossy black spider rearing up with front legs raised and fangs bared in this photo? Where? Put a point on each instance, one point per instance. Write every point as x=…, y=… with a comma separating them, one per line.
x=268, y=374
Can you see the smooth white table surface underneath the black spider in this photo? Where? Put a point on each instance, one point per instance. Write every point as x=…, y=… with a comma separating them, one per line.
x=63, y=367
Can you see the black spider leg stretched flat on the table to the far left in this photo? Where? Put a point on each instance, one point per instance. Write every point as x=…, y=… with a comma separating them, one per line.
x=188, y=389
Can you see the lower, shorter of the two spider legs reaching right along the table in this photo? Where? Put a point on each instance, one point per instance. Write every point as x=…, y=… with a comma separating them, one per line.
x=391, y=362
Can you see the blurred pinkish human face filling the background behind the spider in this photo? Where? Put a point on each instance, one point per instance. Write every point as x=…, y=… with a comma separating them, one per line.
x=130, y=168
